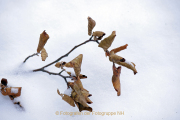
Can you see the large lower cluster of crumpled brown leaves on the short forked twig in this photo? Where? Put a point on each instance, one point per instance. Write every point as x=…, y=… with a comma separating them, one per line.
x=79, y=95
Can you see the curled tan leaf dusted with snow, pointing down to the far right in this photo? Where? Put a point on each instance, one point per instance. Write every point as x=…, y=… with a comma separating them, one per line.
x=117, y=59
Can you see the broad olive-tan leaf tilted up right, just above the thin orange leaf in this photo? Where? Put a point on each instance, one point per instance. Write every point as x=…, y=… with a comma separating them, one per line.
x=106, y=43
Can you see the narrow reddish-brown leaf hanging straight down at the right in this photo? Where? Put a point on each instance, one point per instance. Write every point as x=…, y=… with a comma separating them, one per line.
x=116, y=79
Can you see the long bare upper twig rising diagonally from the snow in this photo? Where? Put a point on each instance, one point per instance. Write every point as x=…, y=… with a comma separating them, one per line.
x=40, y=69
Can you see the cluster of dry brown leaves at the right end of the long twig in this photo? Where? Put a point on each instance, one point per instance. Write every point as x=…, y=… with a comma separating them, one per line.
x=113, y=57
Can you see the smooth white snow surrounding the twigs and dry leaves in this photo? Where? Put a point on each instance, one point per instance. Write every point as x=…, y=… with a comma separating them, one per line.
x=151, y=28
